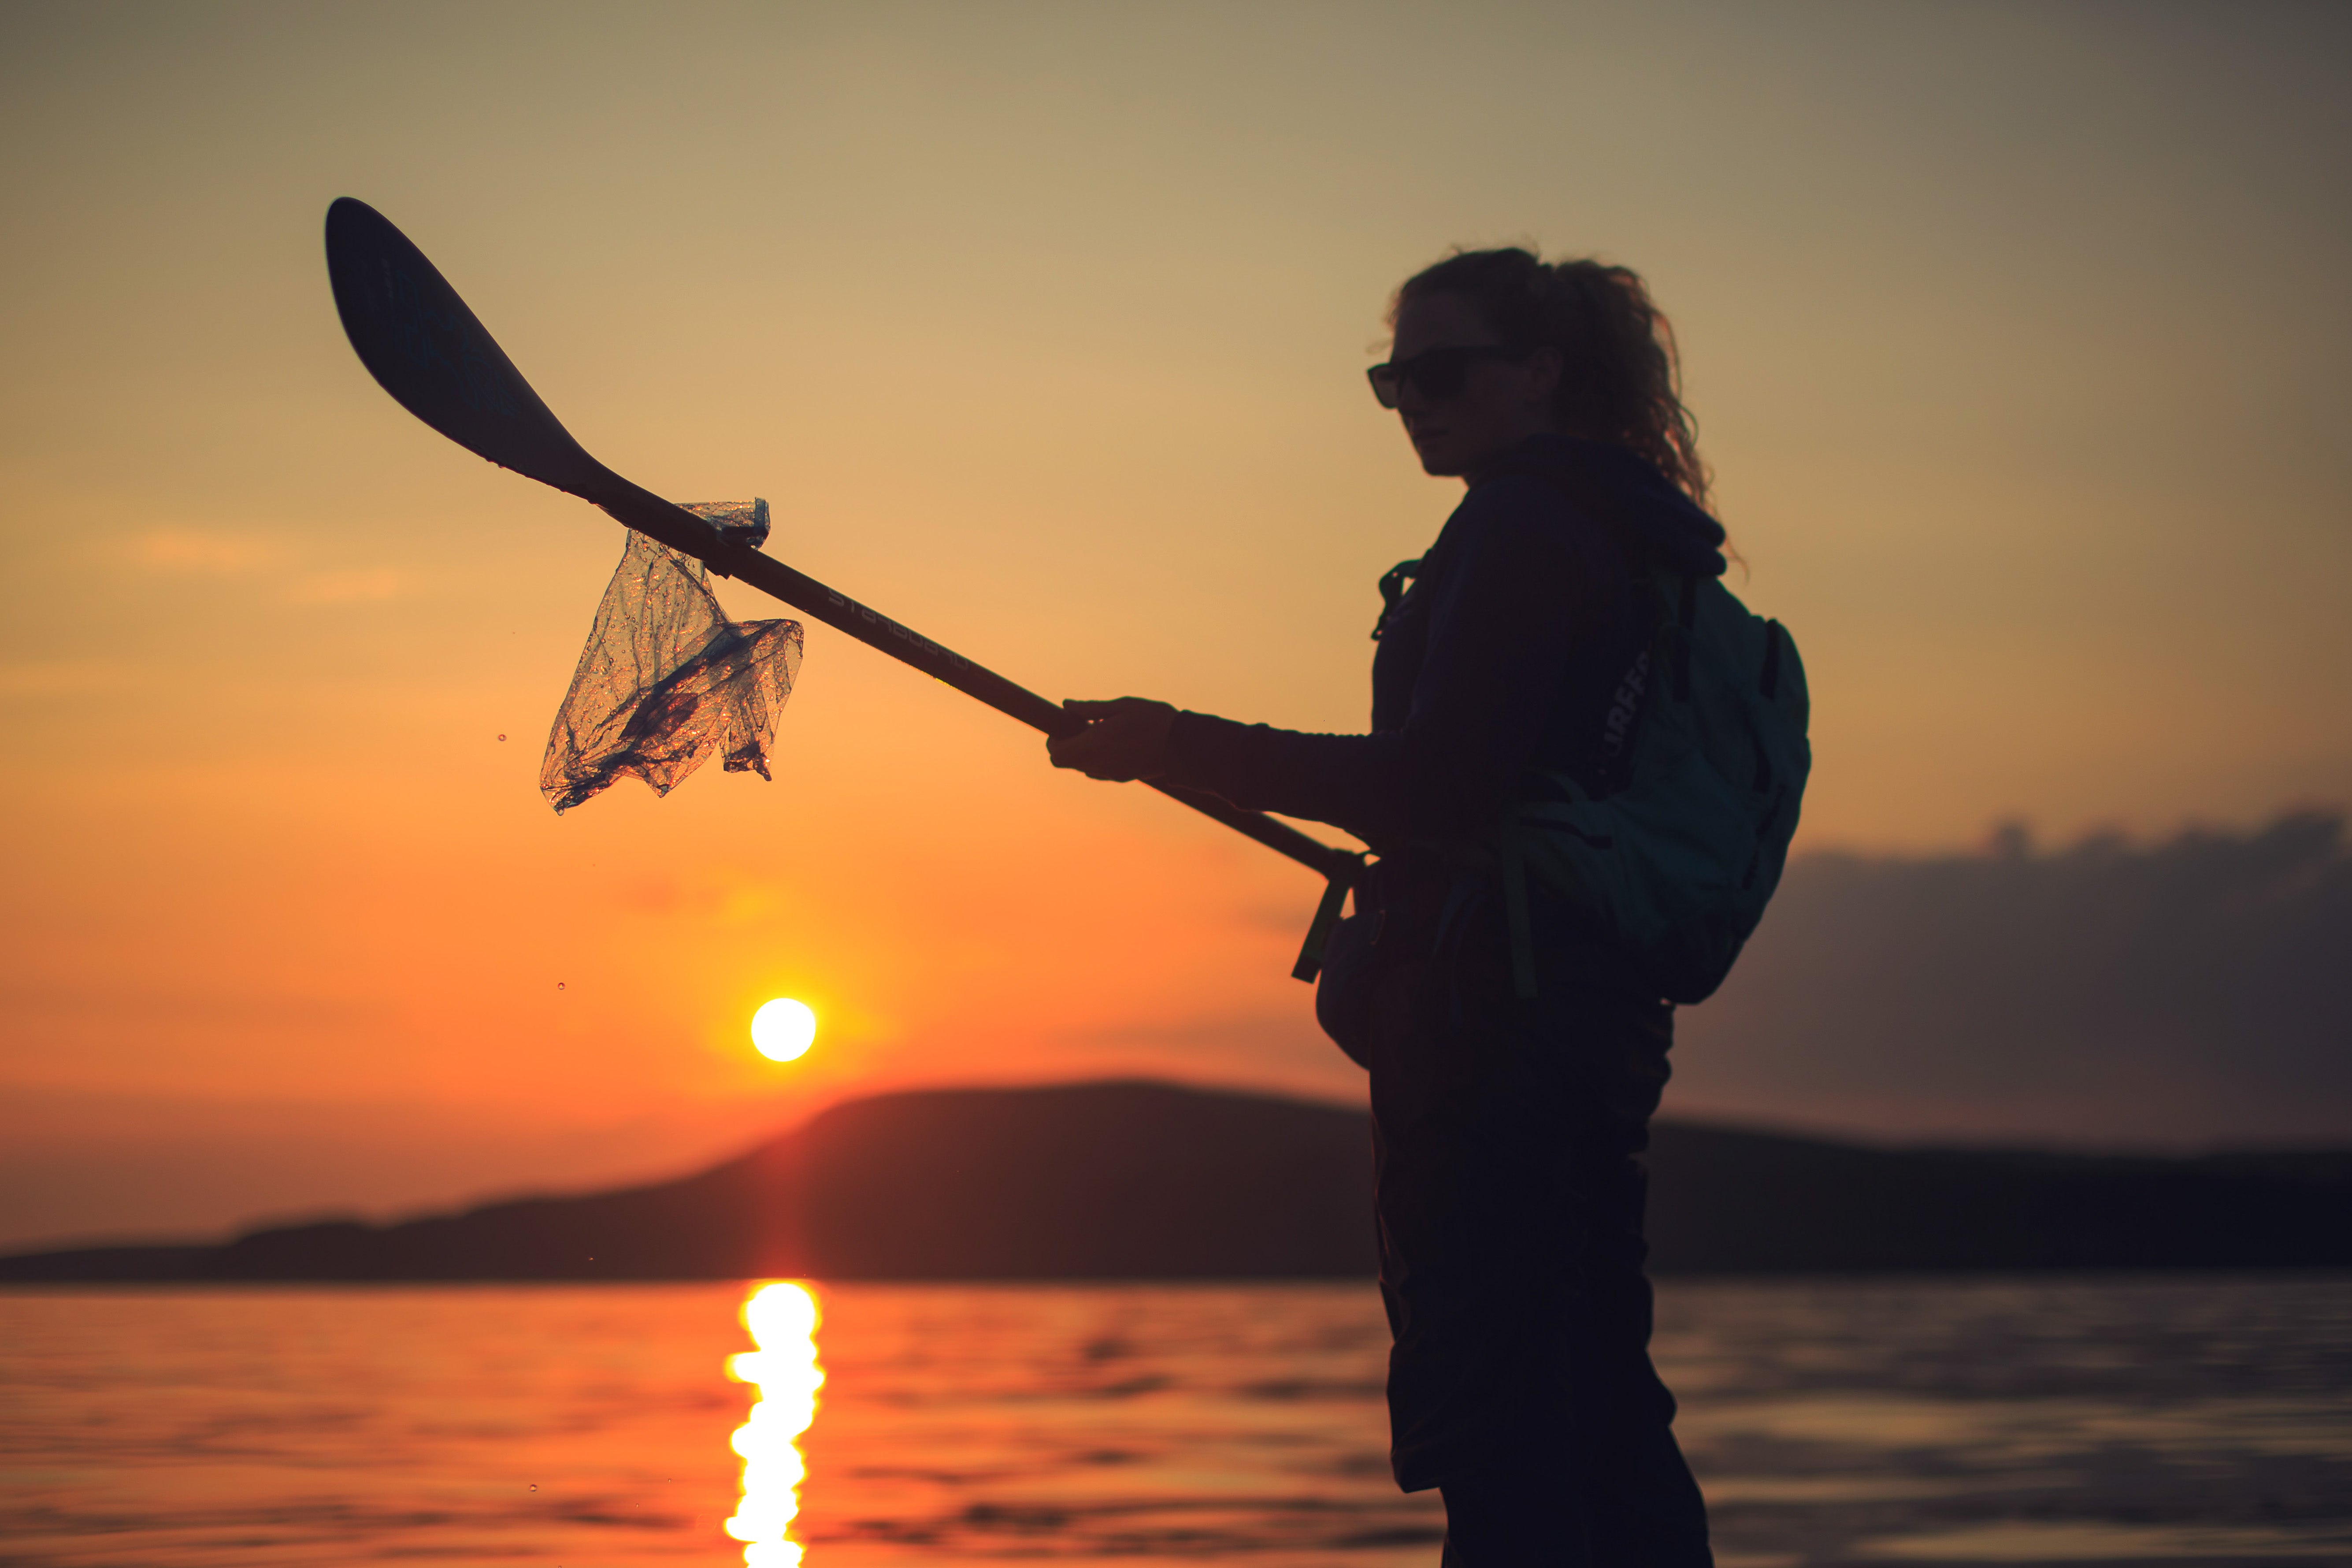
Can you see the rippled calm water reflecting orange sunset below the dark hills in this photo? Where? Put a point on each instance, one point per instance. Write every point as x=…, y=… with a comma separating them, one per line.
x=599, y=1428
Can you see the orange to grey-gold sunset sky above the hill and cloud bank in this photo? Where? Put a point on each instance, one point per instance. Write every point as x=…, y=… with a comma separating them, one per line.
x=2019, y=340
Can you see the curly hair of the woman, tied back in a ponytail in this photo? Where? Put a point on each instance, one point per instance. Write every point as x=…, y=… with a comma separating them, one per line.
x=1622, y=380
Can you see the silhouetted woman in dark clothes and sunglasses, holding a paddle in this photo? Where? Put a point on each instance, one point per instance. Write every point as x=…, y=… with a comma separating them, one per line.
x=1506, y=1130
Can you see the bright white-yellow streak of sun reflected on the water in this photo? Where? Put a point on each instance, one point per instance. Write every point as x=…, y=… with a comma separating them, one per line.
x=782, y=1322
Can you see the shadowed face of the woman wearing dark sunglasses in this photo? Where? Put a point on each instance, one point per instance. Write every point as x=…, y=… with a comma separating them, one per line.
x=1499, y=406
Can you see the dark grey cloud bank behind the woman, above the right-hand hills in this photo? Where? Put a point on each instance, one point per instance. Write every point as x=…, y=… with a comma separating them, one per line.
x=2189, y=991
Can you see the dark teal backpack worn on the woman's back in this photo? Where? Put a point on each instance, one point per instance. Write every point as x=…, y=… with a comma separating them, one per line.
x=1678, y=836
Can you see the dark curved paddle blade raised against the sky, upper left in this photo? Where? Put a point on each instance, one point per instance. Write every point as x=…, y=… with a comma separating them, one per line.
x=427, y=349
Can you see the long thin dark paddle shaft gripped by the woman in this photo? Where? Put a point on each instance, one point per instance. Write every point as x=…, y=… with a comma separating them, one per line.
x=683, y=530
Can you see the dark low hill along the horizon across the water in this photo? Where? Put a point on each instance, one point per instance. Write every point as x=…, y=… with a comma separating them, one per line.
x=1151, y=1181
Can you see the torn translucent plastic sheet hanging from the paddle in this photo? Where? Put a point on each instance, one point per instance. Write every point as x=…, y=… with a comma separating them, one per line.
x=667, y=678
